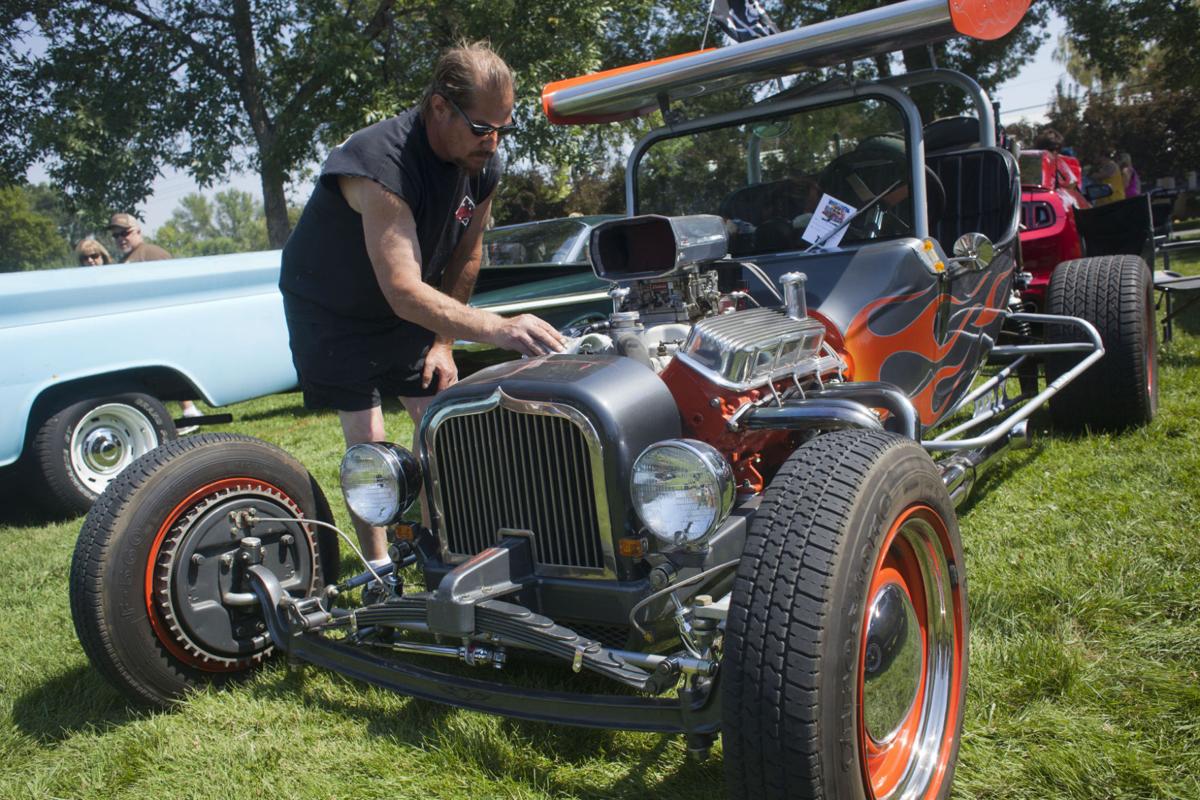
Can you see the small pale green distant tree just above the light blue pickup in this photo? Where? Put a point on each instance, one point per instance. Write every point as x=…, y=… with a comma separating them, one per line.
x=232, y=224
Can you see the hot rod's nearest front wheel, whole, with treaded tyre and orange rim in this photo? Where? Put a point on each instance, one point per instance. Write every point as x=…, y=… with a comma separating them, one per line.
x=845, y=661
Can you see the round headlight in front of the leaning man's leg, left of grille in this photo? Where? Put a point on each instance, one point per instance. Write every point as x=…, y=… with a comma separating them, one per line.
x=381, y=482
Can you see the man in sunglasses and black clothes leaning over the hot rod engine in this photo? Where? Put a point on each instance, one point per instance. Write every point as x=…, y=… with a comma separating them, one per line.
x=379, y=272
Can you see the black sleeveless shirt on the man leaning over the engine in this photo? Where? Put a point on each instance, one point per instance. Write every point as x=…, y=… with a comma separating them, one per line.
x=326, y=262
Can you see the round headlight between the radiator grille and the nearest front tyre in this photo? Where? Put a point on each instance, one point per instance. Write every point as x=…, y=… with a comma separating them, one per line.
x=682, y=490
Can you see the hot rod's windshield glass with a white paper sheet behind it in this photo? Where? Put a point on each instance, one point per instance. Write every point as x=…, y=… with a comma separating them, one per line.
x=791, y=181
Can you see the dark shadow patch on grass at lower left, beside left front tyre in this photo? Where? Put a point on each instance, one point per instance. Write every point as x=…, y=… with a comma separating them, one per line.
x=73, y=702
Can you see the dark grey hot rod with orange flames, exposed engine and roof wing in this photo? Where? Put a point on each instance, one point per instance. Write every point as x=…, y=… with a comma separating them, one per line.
x=734, y=500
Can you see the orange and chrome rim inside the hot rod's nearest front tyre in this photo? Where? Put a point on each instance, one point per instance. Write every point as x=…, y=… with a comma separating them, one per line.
x=910, y=664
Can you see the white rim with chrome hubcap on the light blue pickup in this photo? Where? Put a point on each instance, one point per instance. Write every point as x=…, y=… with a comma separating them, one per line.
x=107, y=441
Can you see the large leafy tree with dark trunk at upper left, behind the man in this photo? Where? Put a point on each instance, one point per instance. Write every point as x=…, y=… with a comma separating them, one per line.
x=123, y=87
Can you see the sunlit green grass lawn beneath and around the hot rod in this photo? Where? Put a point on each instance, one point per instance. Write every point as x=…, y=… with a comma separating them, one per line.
x=1084, y=568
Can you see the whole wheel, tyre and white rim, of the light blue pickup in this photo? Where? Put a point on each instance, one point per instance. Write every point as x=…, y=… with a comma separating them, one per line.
x=81, y=449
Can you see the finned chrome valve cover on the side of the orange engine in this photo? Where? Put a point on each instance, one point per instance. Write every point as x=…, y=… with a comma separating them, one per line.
x=749, y=348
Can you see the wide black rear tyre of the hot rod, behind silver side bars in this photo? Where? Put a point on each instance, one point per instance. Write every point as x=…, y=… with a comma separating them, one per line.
x=1115, y=294
